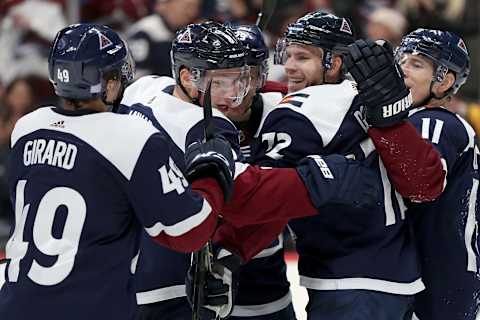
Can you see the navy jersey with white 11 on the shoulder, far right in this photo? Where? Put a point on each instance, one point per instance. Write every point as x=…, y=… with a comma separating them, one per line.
x=447, y=229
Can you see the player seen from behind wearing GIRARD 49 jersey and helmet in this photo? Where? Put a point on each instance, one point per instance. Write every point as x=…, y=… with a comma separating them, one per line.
x=84, y=182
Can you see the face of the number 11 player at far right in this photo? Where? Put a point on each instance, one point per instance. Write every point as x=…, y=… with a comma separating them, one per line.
x=418, y=72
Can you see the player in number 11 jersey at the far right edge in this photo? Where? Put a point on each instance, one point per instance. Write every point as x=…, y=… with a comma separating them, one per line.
x=436, y=64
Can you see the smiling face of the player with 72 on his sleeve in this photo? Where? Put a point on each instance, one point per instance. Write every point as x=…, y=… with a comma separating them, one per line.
x=303, y=66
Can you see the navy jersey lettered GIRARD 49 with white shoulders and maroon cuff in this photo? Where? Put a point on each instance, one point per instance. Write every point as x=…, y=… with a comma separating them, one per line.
x=83, y=185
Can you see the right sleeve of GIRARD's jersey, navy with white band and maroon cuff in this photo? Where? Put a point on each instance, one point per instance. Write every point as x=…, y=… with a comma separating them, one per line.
x=170, y=211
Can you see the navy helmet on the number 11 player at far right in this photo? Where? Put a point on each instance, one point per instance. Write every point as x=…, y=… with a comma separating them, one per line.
x=447, y=51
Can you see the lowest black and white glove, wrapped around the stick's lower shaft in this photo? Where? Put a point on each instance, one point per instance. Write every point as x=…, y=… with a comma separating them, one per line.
x=218, y=295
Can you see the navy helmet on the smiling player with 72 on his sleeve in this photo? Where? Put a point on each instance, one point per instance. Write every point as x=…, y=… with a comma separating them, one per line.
x=319, y=29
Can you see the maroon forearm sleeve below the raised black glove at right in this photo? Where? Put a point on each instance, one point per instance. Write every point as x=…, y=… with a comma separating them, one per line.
x=412, y=163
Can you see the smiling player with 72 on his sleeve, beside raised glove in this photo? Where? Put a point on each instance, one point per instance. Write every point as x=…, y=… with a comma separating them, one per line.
x=365, y=267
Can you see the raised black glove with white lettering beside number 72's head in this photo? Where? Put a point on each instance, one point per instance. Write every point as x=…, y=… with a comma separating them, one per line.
x=380, y=82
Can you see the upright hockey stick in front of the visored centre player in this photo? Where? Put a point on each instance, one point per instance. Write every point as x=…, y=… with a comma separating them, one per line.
x=203, y=258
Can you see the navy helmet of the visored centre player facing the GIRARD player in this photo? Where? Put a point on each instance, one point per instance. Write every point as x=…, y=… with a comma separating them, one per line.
x=206, y=46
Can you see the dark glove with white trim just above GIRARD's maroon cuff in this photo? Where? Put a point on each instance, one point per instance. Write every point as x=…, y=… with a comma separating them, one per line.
x=213, y=158
